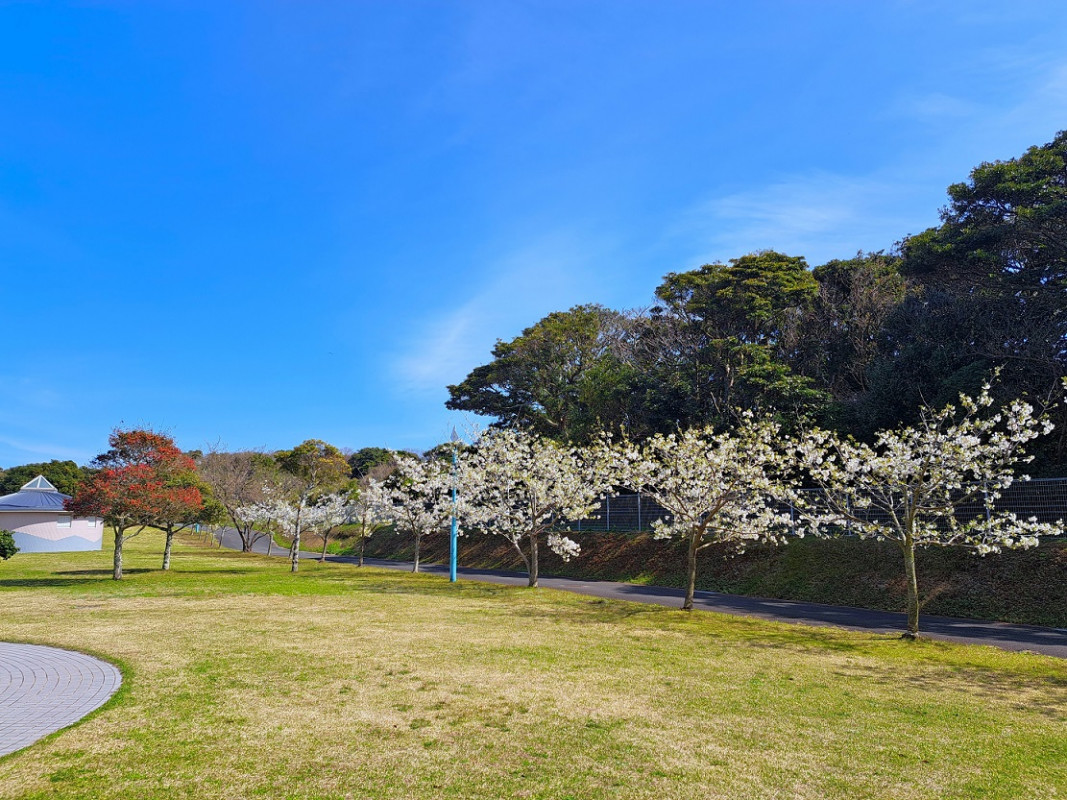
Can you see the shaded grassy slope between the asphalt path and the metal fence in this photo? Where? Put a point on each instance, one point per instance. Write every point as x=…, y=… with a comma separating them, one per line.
x=1027, y=587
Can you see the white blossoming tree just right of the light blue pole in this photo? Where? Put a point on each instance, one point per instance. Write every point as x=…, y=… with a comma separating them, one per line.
x=522, y=488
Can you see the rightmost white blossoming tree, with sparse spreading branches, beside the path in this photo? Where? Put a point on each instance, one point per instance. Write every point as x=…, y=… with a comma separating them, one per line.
x=934, y=484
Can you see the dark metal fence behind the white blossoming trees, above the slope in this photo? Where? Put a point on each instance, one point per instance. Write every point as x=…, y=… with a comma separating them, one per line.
x=1045, y=499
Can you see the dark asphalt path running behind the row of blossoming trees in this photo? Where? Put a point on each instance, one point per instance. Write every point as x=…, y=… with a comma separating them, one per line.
x=1004, y=635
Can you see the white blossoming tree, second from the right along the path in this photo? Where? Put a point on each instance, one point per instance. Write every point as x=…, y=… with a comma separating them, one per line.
x=718, y=488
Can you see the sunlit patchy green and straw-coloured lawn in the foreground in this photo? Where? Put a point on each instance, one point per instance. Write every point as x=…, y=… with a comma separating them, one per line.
x=243, y=681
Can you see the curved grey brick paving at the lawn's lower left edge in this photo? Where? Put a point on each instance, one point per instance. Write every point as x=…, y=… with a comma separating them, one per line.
x=44, y=690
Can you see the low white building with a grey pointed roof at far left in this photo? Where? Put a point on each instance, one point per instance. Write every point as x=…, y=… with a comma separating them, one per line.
x=37, y=517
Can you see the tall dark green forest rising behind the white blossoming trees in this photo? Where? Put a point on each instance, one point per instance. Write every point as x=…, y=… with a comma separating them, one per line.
x=856, y=345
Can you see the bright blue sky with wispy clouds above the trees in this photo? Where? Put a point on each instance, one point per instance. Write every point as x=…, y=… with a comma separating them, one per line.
x=258, y=223
